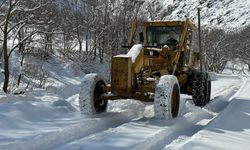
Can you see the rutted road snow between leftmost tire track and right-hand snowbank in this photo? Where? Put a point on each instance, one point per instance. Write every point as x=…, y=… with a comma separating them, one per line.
x=149, y=133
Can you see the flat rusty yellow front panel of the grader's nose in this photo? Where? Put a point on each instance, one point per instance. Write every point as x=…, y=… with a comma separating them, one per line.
x=121, y=75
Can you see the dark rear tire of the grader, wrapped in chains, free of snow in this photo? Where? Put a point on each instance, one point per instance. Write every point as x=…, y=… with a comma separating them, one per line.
x=201, y=89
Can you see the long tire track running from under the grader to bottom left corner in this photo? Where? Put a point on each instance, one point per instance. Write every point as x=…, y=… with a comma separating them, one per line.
x=73, y=132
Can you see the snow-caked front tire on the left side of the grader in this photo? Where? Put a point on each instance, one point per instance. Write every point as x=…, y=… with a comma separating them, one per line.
x=91, y=95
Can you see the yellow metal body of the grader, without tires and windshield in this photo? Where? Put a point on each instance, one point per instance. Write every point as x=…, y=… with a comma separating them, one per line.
x=136, y=78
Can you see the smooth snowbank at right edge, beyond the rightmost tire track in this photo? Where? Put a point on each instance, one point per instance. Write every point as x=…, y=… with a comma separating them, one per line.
x=230, y=130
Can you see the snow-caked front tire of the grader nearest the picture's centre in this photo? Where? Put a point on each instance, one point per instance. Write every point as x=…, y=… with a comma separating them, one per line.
x=167, y=98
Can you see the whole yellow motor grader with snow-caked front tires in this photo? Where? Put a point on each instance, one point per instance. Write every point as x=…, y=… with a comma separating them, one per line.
x=157, y=70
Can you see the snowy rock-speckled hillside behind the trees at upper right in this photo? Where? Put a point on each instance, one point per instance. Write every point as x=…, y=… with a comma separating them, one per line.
x=223, y=14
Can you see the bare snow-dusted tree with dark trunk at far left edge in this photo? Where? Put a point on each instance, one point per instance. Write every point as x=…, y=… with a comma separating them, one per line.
x=15, y=15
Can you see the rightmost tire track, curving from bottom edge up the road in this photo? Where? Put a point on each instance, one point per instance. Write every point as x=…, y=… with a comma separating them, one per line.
x=190, y=125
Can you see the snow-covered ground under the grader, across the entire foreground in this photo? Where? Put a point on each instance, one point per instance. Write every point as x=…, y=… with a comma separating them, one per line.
x=130, y=124
